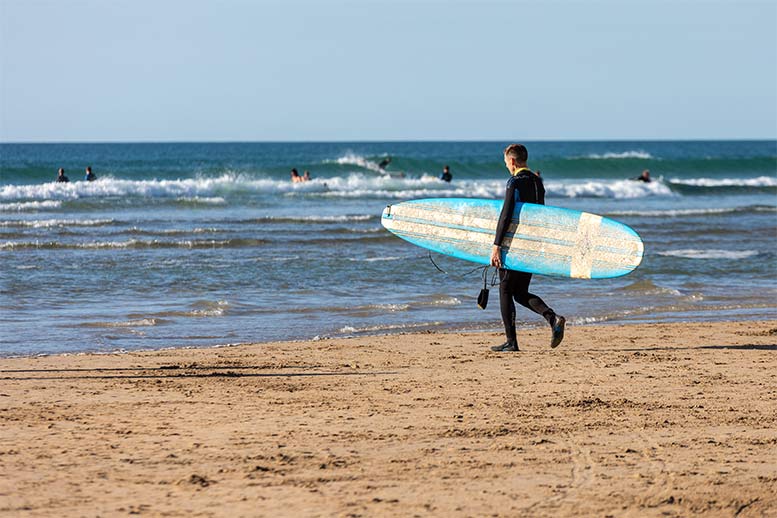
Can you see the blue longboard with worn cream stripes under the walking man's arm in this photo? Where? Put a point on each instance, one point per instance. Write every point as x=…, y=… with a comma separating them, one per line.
x=540, y=239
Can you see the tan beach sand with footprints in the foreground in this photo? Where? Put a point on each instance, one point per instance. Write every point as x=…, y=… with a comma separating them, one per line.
x=620, y=420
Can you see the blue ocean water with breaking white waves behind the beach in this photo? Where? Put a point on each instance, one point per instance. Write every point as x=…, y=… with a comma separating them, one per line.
x=205, y=244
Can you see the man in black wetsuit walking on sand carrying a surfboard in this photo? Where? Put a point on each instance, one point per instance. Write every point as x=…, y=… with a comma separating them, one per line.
x=524, y=186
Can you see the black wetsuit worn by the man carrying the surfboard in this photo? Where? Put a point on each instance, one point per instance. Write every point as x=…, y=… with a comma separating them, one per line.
x=524, y=187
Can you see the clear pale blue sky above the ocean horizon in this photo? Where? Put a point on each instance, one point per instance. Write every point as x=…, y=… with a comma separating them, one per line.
x=165, y=70
